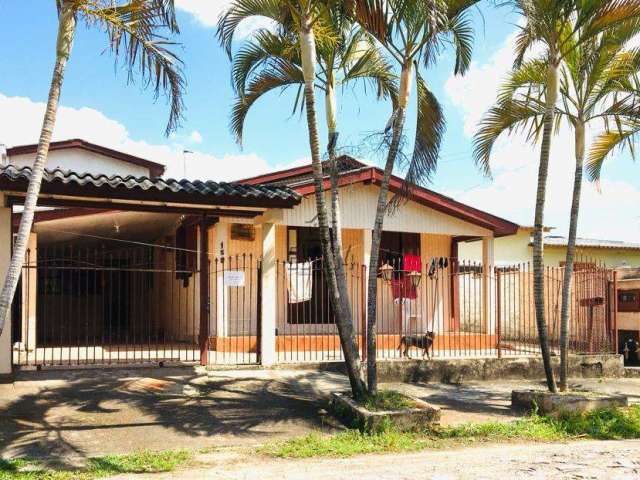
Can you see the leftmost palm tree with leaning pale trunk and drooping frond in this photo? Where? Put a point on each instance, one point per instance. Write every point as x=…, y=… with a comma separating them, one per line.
x=135, y=33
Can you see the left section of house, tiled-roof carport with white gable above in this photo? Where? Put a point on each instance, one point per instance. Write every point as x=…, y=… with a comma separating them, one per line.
x=118, y=263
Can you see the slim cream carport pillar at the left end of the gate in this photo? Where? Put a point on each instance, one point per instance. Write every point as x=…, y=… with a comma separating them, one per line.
x=29, y=295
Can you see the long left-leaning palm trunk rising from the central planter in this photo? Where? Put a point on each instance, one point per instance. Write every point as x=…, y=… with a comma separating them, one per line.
x=340, y=302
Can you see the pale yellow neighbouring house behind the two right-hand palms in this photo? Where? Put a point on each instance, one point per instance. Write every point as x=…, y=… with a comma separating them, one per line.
x=518, y=248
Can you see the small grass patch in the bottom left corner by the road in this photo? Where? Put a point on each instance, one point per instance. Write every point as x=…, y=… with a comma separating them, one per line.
x=97, y=467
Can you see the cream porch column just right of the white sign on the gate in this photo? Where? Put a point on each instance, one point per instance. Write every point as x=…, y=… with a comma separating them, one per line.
x=268, y=296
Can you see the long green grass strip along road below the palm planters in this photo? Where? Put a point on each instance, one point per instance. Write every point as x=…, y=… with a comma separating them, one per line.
x=604, y=424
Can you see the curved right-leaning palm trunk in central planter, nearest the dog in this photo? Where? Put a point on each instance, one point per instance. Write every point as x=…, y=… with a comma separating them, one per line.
x=376, y=236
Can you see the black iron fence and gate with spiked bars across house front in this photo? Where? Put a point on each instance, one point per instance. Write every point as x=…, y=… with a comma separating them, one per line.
x=82, y=306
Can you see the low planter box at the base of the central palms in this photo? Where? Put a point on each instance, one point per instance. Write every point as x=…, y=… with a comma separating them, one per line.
x=353, y=415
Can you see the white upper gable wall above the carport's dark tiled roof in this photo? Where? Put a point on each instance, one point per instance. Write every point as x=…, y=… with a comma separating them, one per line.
x=82, y=161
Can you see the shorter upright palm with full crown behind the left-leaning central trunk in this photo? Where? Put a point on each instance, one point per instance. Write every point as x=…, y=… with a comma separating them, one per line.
x=271, y=61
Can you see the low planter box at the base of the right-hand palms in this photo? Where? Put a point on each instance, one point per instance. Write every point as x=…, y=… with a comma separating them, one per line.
x=550, y=403
